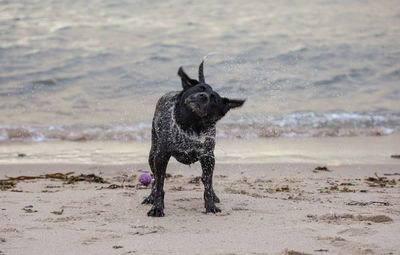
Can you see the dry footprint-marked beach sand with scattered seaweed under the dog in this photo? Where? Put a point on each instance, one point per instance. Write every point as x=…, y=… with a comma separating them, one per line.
x=267, y=208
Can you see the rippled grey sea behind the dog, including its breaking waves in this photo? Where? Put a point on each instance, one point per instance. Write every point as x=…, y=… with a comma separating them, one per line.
x=93, y=70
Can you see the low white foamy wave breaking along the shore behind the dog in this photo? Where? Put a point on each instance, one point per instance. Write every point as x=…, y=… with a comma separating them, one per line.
x=300, y=124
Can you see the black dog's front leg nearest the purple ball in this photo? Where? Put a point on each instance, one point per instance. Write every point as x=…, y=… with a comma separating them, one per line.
x=160, y=163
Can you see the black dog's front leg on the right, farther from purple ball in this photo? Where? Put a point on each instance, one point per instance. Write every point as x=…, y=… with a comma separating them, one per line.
x=207, y=165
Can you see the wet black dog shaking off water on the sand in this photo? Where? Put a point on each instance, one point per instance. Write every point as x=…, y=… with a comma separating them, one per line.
x=184, y=127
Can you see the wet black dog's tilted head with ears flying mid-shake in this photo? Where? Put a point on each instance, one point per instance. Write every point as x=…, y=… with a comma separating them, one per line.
x=202, y=100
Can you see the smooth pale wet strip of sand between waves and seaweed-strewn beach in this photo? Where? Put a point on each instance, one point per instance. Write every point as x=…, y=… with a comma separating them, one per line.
x=327, y=150
